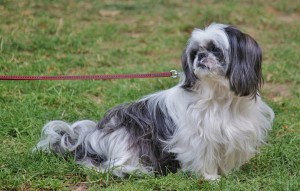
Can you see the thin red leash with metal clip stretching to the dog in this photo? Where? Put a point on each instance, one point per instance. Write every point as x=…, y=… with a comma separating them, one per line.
x=172, y=74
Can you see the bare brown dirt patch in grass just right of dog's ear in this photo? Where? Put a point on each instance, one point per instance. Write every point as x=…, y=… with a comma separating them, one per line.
x=276, y=91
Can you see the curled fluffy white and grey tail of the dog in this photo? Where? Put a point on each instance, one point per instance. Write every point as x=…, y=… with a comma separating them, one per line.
x=62, y=137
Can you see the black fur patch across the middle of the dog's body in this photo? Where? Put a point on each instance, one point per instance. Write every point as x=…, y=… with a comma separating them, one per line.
x=147, y=126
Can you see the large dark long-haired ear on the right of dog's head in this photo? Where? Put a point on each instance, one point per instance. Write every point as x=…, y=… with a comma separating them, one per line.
x=244, y=68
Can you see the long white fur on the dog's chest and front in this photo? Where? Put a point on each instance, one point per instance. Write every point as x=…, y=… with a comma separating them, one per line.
x=216, y=134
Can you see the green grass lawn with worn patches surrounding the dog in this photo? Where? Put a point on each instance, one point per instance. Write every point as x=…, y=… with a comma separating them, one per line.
x=90, y=37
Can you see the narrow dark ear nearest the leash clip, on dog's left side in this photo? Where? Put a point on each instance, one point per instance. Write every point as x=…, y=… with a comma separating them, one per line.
x=187, y=59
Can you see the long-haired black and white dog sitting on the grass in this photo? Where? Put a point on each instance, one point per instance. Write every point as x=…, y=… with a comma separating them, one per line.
x=210, y=123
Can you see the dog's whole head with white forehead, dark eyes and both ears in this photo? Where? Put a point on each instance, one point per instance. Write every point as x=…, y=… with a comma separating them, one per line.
x=223, y=52
